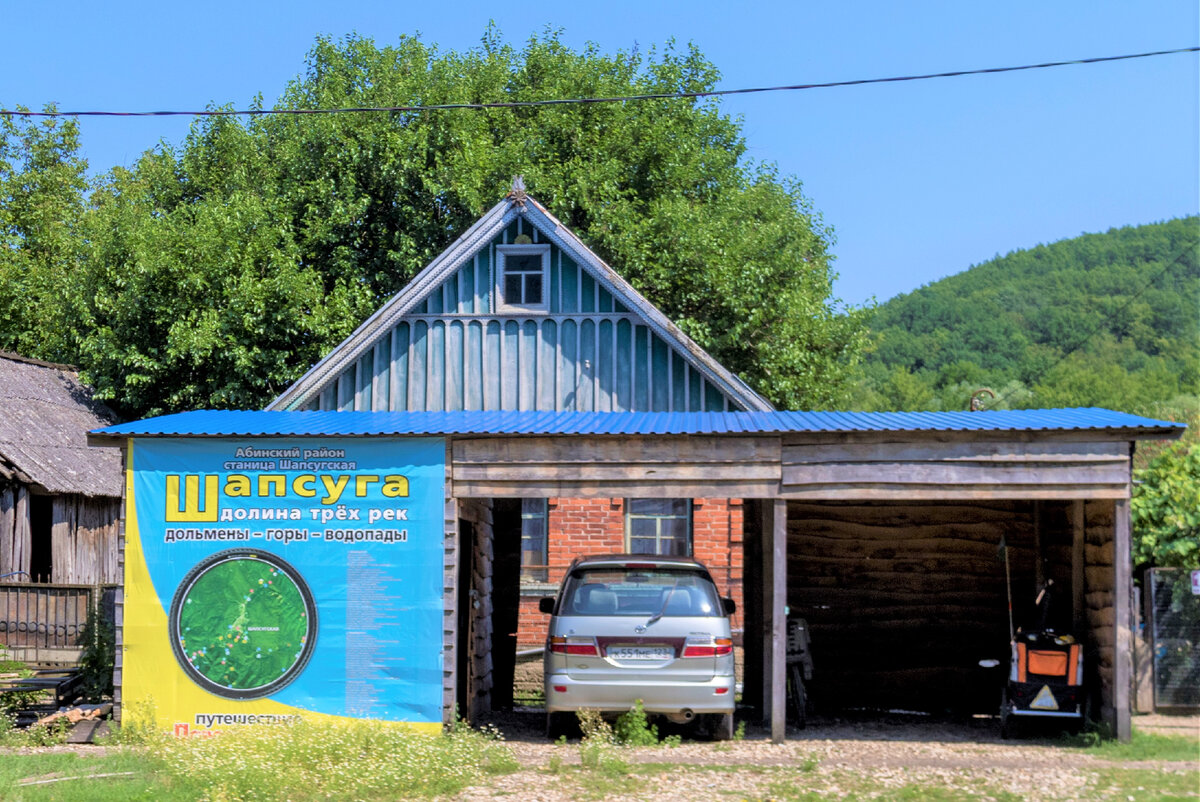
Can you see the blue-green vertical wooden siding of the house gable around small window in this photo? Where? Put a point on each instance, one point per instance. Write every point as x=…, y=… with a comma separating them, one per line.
x=589, y=352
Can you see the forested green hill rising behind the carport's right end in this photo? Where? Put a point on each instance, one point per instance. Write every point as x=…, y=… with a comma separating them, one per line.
x=1102, y=320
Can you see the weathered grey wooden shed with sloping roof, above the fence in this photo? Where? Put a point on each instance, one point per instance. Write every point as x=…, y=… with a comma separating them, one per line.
x=59, y=500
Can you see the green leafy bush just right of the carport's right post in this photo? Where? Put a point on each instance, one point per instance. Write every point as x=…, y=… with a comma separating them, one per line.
x=1166, y=510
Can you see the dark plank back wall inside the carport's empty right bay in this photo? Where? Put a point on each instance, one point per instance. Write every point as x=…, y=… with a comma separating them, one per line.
x=903, y=600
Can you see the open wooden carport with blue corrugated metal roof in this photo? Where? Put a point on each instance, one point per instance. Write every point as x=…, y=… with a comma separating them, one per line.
x=890, y=516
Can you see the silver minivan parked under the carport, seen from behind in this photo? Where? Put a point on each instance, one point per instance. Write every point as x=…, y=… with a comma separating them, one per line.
x=629, y=627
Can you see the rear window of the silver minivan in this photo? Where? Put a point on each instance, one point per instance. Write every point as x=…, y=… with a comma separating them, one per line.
x=640, y=592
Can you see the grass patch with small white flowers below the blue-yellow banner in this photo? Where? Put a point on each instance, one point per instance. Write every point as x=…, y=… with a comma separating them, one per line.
x=307, y=762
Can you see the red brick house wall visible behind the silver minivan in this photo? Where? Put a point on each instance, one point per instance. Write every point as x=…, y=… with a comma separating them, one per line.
x=593, y=526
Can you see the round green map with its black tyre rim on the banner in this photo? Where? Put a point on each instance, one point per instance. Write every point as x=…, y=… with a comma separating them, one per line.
x=243, y=624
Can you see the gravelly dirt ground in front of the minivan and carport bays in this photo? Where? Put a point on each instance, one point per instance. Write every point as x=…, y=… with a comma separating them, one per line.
x=847, y=756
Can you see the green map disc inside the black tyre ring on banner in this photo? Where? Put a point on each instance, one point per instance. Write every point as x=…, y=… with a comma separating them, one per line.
x=243, y=624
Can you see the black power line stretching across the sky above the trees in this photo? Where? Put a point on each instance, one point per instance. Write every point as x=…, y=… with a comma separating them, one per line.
x=620, y=99
